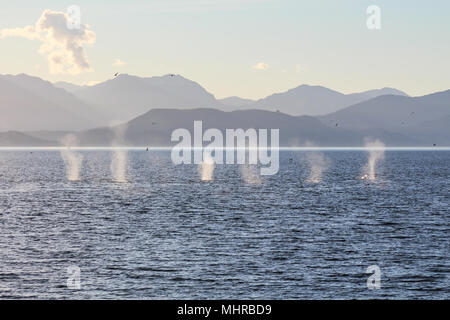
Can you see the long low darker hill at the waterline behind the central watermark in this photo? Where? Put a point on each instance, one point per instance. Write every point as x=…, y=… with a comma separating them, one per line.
x=154, y=128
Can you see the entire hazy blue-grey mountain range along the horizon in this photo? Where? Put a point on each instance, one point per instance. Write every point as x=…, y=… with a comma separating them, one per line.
x=152, y=107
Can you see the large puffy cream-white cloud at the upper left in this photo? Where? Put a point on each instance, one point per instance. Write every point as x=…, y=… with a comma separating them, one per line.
x=63, y=47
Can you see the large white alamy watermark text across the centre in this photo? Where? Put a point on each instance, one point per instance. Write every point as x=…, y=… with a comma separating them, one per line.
x=239, y=146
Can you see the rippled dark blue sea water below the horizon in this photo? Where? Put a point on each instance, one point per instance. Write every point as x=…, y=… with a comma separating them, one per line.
x=159, y=232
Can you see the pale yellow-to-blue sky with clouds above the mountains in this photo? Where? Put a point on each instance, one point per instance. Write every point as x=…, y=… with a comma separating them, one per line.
x=246, y=48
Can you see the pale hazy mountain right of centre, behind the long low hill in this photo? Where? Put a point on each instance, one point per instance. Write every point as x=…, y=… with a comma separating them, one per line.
x=316, y=100
